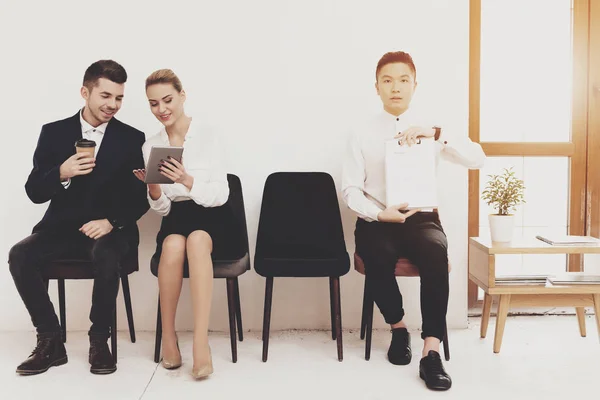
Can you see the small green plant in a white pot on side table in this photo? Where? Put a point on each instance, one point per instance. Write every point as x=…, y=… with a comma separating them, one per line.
x=504, y=192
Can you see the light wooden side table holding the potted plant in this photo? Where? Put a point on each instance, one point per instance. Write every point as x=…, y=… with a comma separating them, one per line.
x=482, y=272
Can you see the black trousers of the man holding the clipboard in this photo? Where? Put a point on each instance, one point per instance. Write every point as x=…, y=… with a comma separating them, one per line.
x=421, y=240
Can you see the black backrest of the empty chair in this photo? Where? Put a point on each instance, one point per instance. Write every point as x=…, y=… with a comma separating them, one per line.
x=300, y=213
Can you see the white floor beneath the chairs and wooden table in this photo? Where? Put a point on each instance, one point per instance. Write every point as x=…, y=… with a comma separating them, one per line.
x=542, y=357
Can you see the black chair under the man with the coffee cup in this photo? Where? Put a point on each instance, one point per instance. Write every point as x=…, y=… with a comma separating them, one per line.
x=82, y=269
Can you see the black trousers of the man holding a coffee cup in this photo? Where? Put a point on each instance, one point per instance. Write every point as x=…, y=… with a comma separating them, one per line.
x=28, y=257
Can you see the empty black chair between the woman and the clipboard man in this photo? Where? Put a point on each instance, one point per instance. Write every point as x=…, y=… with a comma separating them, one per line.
x=300, y=235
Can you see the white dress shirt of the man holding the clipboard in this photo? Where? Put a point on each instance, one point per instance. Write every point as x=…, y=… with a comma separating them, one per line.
x=363, y=177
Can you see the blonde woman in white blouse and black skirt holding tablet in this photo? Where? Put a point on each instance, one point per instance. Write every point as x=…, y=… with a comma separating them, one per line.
x=193, y=219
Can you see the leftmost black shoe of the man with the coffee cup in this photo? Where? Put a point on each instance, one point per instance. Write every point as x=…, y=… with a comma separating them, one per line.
x=49, y=352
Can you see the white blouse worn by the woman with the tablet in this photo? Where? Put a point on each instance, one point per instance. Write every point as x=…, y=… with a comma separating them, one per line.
x=202, y=159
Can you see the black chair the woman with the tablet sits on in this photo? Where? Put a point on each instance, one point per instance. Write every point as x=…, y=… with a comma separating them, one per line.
x=230, y=269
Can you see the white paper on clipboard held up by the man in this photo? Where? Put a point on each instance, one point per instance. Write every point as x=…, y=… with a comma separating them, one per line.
x=410, y=174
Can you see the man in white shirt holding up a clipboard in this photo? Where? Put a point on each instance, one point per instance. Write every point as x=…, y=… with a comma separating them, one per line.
x=386, y=232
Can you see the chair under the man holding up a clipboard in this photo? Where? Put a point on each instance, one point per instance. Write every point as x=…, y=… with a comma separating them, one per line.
x=403, y=268
